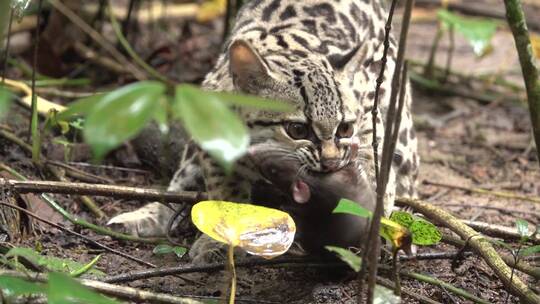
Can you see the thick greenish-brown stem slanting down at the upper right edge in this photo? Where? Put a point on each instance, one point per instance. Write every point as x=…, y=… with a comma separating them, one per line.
x=531, y=75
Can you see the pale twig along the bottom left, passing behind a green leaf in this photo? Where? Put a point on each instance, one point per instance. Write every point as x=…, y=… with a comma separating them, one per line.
x=129, y=293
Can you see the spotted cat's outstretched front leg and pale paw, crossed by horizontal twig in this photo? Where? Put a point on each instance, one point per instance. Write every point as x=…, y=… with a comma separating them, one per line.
x=152, y=219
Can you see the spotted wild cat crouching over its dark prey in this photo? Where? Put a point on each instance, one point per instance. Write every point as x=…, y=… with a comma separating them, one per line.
x=321, y=56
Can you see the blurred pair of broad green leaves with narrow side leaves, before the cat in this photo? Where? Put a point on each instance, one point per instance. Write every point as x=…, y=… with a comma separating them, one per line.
x=114, y=117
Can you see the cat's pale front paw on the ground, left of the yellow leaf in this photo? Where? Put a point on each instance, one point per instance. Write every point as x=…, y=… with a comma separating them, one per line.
x=148, y=221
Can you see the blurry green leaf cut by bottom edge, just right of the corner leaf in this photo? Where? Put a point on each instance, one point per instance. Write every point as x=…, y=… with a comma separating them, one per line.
x=65, y=290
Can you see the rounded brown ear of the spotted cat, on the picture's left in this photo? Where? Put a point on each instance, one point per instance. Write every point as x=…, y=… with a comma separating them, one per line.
x=248, y=69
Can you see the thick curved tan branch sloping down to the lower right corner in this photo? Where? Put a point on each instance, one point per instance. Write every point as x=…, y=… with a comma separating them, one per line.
x=480, y=244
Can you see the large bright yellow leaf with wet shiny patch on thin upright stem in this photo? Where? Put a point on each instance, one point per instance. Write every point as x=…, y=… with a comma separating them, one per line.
x=259, y=230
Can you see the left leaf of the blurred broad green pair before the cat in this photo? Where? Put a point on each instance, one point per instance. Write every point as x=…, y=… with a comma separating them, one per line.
x=120, y=115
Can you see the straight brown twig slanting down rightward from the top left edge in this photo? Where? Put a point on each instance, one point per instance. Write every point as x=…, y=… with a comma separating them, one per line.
x=98, y=38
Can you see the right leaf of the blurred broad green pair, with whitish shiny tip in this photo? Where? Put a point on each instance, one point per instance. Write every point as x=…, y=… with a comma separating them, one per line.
x=215, y=127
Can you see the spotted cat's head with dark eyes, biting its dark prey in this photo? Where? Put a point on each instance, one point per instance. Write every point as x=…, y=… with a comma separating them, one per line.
x=326, y=117
